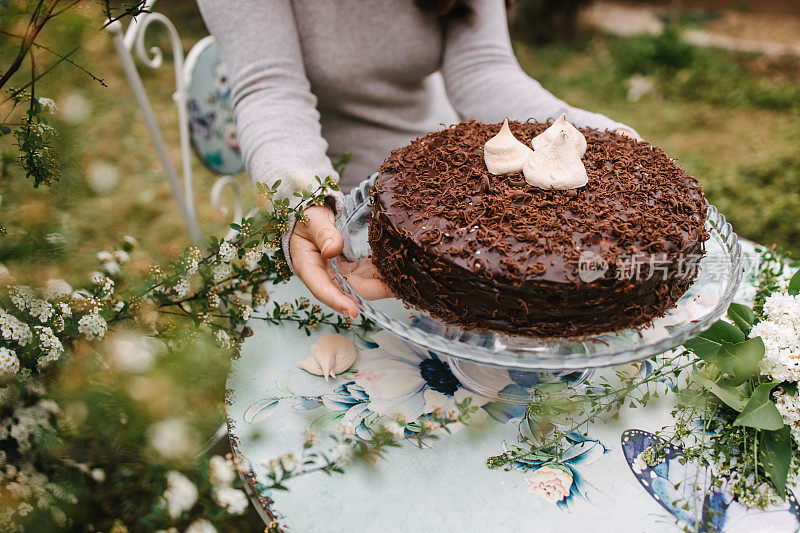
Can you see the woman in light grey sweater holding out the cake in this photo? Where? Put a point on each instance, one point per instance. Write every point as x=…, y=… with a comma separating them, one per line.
x=313, y=79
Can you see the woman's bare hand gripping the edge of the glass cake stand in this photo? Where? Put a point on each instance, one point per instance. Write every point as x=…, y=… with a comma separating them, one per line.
x=312, y=245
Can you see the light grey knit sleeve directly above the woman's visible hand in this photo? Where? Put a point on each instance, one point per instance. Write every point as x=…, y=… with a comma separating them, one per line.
x=276, y=114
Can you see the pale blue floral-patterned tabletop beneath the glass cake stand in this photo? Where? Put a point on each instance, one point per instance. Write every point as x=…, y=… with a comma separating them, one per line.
x=602, y=482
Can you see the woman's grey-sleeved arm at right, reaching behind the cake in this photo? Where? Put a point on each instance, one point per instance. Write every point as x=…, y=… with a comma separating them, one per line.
x=485, y=82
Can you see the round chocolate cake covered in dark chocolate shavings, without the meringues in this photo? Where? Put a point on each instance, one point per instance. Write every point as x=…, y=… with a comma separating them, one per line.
x=491, y=252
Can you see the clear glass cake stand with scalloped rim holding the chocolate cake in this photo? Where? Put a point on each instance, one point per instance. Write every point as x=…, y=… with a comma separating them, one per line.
x=507, y=367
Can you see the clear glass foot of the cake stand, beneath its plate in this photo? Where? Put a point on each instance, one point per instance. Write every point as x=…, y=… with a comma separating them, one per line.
x=512, y=385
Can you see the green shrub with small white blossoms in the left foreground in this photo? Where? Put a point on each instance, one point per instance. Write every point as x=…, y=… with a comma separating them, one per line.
x=54, y=453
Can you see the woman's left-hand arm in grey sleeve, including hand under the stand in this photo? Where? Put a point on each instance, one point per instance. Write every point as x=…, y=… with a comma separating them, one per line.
x=278, y=123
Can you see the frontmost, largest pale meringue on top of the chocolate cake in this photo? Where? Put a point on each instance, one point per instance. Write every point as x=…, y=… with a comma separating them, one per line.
x=556, y=165
